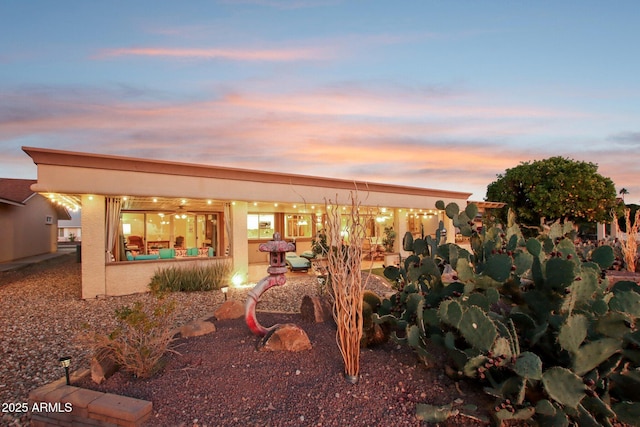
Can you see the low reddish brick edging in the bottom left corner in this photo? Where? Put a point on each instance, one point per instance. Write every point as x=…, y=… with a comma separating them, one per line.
x=59, y=404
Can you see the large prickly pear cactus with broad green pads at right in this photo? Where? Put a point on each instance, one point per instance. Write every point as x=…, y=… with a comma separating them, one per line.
x=527, y=318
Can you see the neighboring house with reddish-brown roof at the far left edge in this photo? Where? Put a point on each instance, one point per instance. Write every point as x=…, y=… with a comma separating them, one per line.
x=28, y=220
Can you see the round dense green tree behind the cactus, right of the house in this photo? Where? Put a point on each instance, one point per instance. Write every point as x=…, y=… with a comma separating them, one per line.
x=555, y=188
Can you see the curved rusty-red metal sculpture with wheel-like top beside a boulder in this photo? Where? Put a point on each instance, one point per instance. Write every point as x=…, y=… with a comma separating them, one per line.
x=277, y=269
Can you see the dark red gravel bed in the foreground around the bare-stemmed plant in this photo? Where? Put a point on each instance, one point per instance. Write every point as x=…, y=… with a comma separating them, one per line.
x=221, y=380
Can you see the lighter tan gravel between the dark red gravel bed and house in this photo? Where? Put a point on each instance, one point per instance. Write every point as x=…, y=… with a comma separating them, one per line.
x=41, y=314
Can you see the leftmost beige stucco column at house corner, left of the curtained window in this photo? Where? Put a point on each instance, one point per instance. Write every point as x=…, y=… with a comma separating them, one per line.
x=93, y=244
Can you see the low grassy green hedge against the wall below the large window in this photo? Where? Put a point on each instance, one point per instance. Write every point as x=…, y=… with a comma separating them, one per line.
x=193, y=278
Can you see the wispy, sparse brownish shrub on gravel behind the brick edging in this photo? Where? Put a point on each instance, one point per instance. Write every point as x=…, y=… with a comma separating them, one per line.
x=142, y=336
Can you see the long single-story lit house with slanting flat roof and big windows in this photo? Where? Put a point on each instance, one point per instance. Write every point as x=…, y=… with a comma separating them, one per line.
x=160, y=214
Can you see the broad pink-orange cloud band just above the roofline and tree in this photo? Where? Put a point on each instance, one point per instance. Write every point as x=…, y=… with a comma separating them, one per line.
x=433, y=139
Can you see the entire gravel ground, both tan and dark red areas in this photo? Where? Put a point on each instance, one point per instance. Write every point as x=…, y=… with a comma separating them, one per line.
x=41, y=316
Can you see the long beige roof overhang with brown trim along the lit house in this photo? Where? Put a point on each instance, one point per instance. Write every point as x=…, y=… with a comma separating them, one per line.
x=70, y=172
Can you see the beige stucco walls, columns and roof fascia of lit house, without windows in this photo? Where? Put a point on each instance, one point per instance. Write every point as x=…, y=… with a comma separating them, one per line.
x=92, y=178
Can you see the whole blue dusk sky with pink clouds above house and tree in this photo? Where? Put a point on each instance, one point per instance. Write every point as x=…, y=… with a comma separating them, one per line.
x=437, y=94
